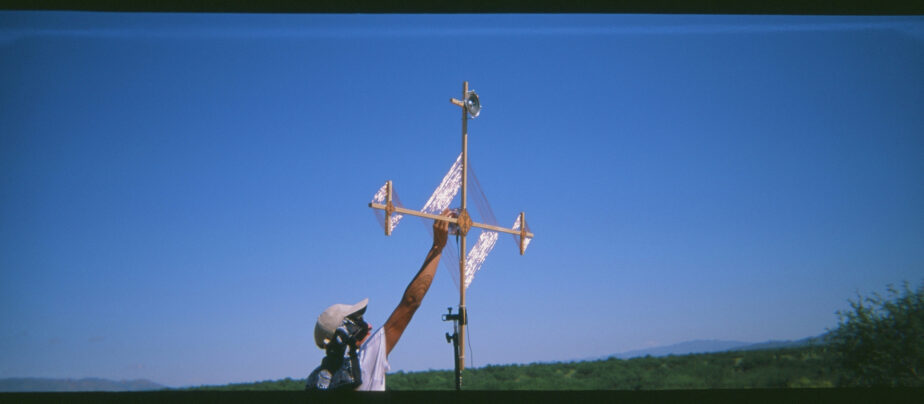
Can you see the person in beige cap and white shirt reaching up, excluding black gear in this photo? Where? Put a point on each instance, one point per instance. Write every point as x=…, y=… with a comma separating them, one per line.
x=373, y=347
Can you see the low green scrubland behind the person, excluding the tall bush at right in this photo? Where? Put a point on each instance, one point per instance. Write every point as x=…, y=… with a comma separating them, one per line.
x=776, y=368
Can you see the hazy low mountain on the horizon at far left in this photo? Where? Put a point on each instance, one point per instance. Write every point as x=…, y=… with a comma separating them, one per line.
x=86, y=384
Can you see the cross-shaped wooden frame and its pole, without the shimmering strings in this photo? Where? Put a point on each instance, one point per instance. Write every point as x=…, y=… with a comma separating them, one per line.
x=465, y=223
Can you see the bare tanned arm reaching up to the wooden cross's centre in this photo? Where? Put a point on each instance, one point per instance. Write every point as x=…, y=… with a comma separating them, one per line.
x=418, y=287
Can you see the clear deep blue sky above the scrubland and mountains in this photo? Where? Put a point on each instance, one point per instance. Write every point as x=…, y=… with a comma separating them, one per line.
x=182, y=195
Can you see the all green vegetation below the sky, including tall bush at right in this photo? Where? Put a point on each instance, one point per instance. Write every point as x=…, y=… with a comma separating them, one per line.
x=877, y=343
